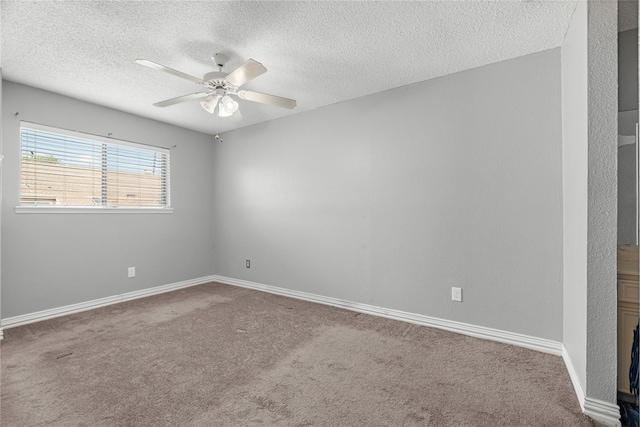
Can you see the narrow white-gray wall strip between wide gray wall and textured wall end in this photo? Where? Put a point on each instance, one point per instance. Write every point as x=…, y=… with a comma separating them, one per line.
x=575, y=163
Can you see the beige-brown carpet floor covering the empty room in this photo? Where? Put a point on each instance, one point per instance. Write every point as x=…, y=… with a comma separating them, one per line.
x=217, y=355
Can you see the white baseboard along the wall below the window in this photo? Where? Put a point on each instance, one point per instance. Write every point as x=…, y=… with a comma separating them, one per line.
x=24, y=319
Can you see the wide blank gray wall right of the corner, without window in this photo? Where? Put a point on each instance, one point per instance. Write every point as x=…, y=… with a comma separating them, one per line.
x=394, y=198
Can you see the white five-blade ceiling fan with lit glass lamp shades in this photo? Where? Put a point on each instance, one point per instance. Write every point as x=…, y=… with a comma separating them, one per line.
x=219, y=85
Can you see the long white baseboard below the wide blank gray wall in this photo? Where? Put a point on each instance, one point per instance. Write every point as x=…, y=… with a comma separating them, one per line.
x=539, y=344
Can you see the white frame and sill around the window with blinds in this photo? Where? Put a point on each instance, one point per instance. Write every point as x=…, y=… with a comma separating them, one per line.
x=26, y=208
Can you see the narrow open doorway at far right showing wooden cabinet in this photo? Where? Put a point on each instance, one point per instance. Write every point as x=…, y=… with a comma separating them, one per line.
x=628, y=209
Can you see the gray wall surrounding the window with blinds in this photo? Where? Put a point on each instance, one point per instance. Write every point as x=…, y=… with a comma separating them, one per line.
x=52, y=260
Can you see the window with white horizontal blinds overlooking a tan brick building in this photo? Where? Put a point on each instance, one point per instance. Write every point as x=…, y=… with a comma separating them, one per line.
x=61, y=168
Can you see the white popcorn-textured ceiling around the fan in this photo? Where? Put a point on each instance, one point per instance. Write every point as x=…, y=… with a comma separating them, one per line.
x=318, y=53
